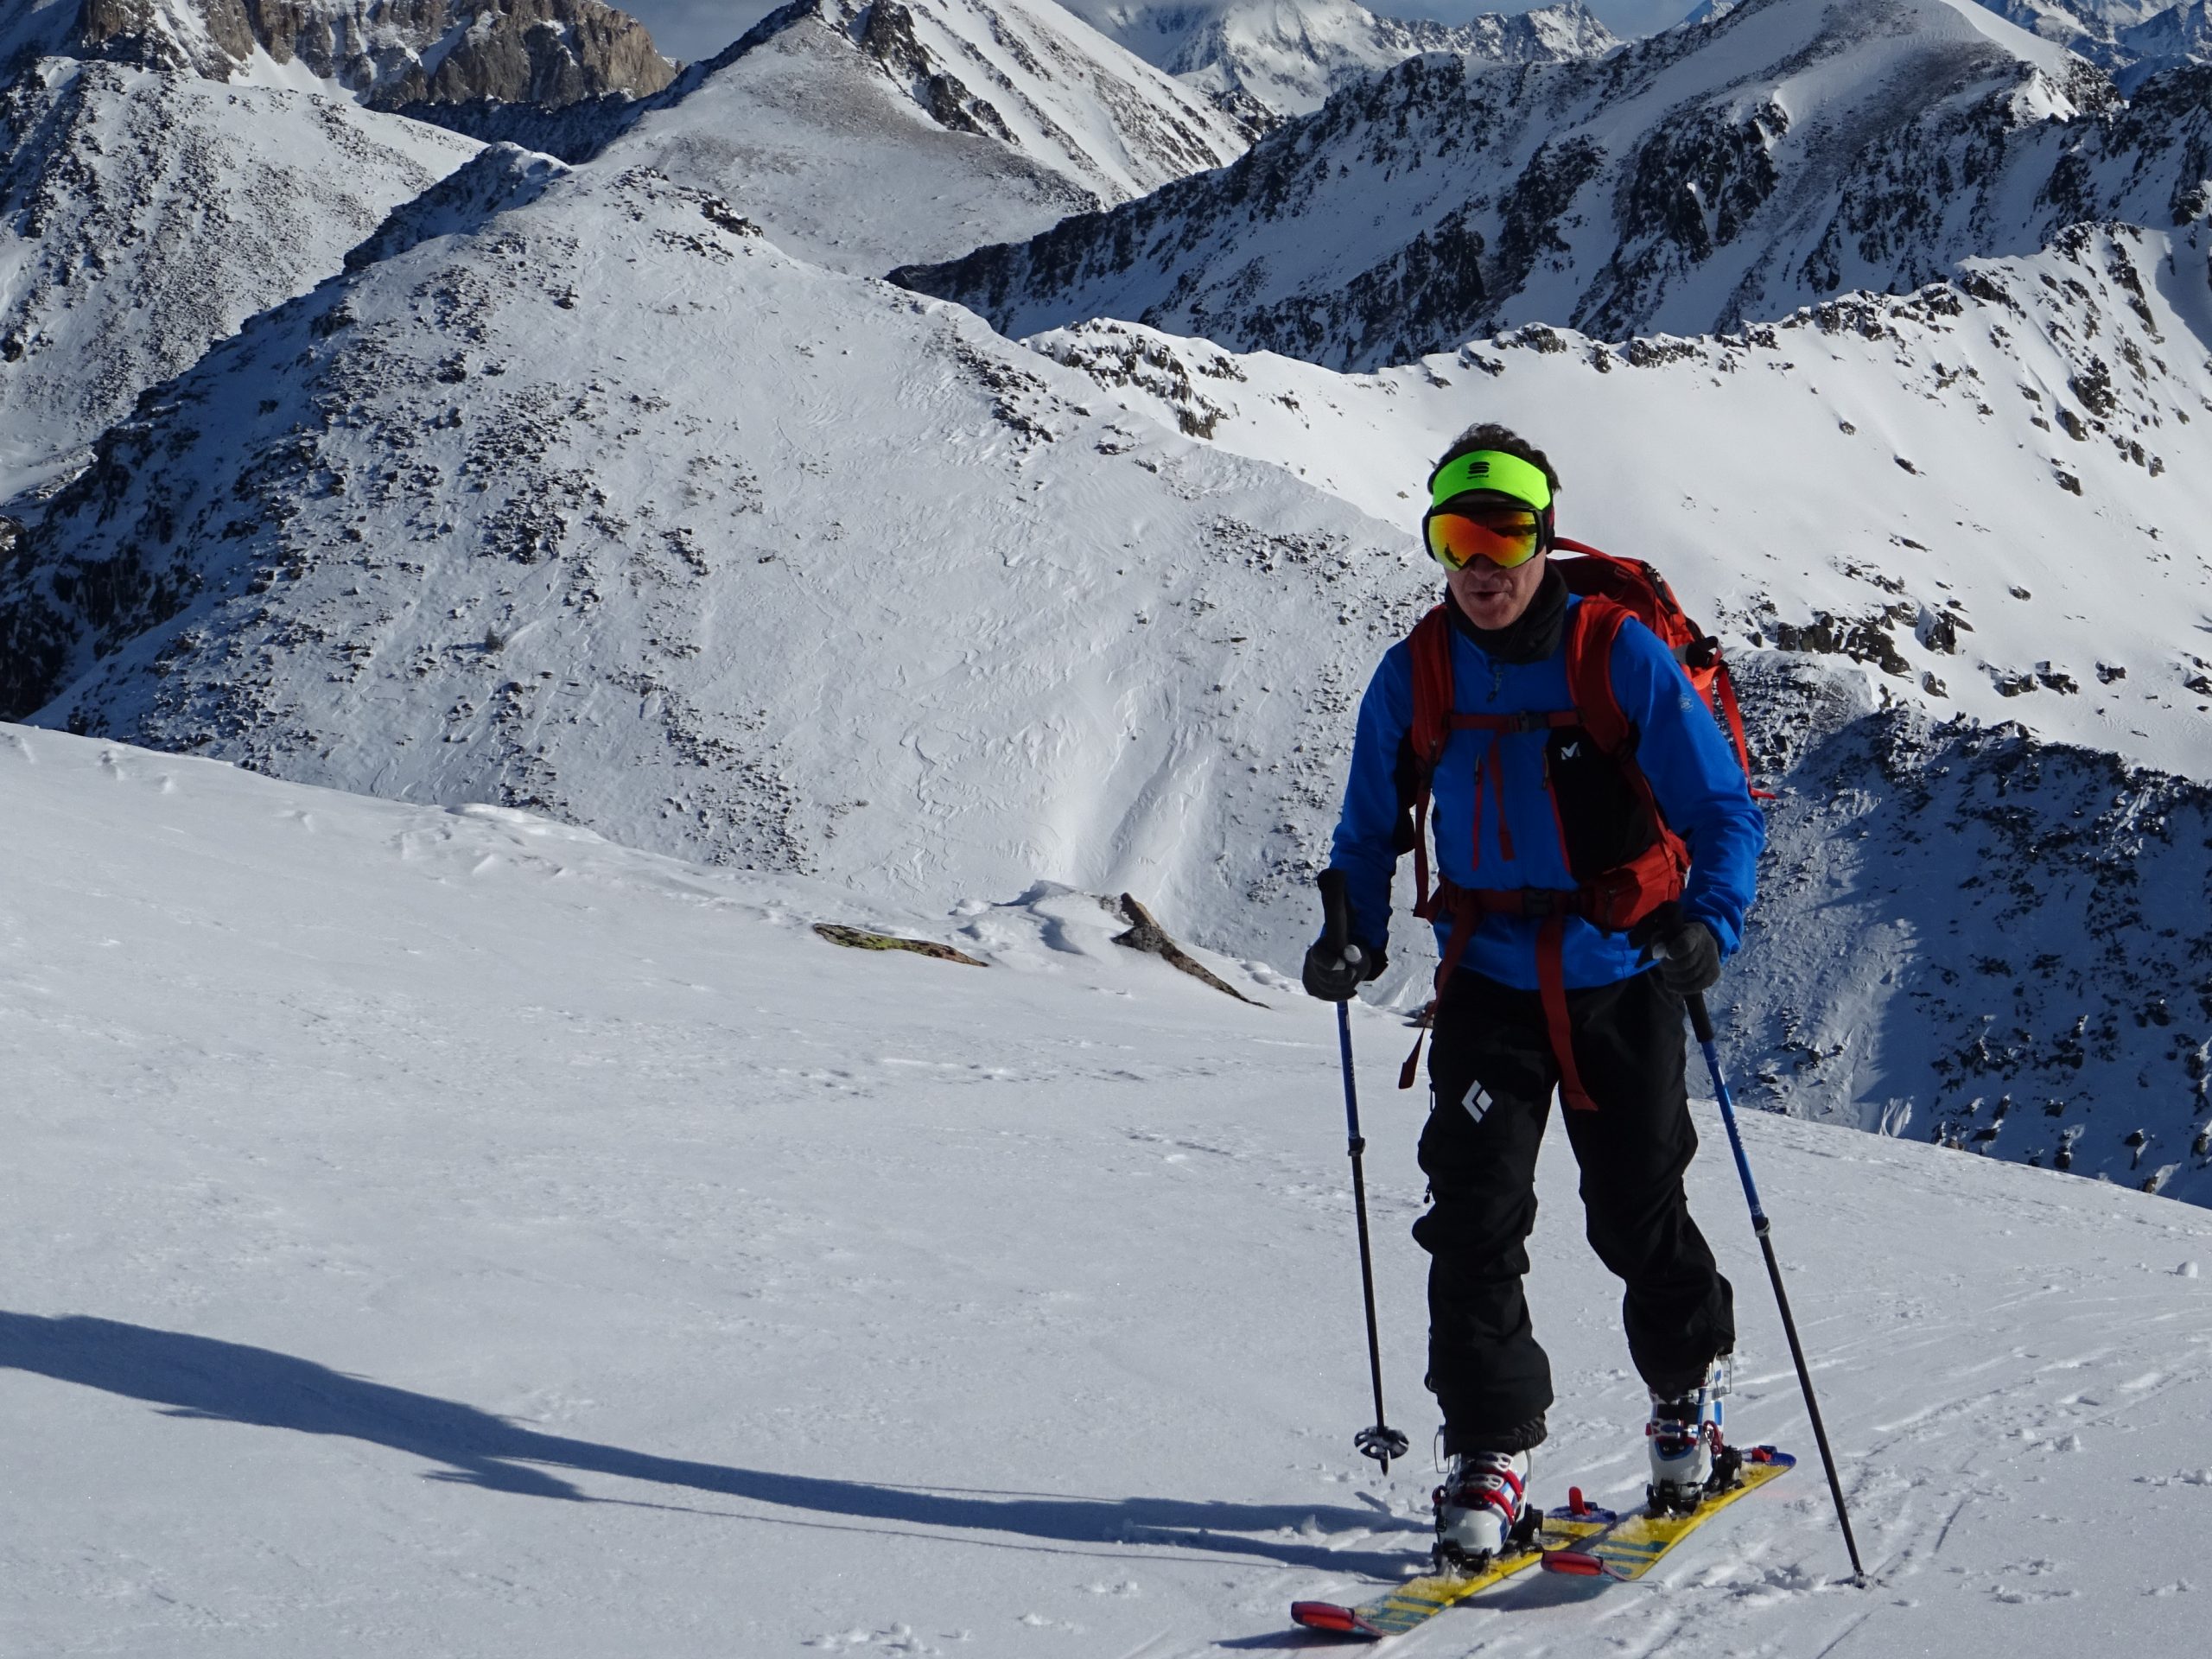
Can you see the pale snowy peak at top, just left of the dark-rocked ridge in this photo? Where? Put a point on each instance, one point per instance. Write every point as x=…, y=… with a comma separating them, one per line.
x=866, y=136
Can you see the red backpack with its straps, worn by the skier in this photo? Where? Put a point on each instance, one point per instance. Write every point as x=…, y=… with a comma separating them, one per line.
x=1627, y=893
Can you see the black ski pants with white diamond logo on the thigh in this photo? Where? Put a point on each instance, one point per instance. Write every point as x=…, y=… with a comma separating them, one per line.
x=1492, y=1078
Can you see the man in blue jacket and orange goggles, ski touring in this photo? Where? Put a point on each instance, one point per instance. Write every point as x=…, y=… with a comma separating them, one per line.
x=1569, y=935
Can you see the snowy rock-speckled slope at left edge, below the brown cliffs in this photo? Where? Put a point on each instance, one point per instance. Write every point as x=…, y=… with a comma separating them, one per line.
x=145, y=216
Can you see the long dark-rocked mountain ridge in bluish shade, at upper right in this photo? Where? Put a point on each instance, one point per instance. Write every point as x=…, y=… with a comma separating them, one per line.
x=1709, y=176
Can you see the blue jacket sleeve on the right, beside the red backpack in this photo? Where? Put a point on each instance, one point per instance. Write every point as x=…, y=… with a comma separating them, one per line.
x=1695, y=775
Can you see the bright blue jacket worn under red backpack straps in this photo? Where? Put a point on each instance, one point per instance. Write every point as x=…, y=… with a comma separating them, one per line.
x=1680, y=747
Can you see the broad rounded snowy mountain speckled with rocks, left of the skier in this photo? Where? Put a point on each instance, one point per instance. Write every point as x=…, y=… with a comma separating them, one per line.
x=614, y=512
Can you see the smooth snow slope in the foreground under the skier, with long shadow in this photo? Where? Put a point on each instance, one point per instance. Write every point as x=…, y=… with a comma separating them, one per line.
x=450, y=1233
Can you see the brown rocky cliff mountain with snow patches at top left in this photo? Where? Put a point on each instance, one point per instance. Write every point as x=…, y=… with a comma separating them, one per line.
x=388, y=54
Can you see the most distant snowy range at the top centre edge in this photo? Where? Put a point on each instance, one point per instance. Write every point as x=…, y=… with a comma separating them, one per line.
x=1286, y=56
